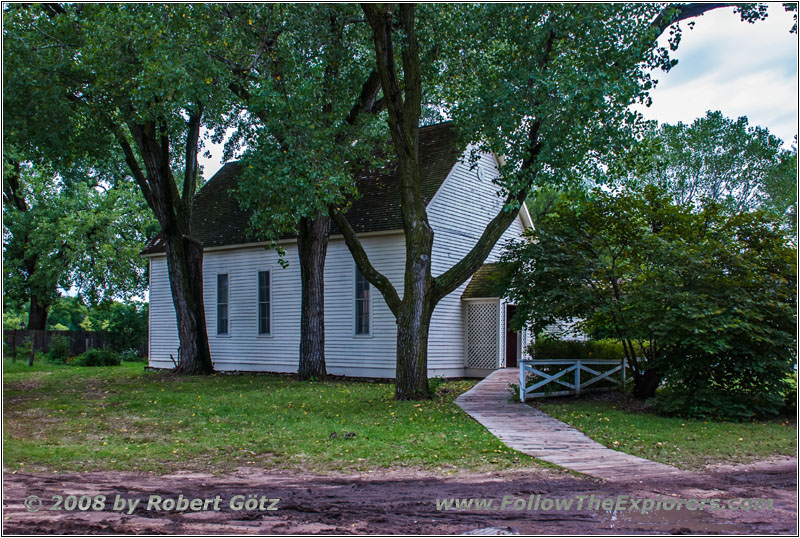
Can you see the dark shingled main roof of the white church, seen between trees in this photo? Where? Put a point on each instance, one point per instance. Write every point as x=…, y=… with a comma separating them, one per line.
x=217, y=219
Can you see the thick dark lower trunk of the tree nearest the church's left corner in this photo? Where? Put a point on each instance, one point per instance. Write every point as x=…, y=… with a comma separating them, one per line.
x=185, y=269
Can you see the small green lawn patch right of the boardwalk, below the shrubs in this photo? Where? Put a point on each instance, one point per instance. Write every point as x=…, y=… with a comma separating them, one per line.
x=621, y=424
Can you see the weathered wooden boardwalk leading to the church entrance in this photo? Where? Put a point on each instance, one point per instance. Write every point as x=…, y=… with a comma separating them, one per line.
x=539, y=435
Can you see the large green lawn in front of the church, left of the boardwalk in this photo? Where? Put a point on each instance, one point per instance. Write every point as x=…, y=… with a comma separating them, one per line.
x=78, y=418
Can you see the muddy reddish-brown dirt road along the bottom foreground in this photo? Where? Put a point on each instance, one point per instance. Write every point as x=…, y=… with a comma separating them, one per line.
x=399, y=502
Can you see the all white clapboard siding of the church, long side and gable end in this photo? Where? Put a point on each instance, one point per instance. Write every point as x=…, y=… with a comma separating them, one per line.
x=459, y=212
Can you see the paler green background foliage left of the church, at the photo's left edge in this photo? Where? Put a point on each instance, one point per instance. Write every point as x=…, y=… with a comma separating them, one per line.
x=81, y=227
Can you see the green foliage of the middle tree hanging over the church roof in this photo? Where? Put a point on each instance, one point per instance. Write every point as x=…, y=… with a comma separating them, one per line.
x=299, y=144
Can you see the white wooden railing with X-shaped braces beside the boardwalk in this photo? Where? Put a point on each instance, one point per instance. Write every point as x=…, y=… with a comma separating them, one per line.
x=574, y=366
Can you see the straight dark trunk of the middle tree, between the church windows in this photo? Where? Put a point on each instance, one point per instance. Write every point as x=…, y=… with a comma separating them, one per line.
x=312, y=246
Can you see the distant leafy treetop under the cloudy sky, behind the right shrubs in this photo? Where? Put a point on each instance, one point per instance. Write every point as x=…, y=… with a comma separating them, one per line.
x=714, y=159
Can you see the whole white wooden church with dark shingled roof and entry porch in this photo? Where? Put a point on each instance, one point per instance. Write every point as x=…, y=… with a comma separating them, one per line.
x=252, y=303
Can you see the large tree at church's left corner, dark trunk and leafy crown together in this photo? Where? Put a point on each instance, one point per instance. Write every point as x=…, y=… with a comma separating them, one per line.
x=141, y=76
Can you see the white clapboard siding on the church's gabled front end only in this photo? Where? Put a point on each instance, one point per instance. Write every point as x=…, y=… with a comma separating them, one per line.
x=458, y=214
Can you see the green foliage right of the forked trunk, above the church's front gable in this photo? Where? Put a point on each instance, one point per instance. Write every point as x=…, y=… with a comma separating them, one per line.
x=565, y=74
